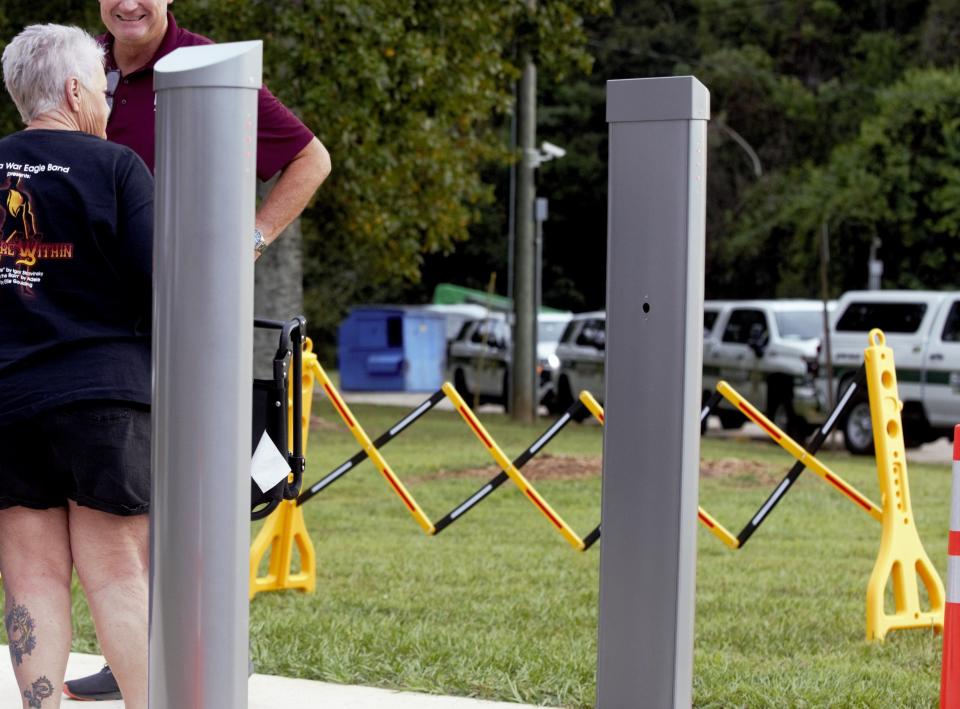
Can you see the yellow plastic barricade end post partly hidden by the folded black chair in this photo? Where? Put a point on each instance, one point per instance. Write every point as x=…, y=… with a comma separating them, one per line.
x=285, y=527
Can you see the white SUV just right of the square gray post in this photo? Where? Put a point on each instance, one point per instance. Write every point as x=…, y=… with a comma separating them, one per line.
x=768, y=351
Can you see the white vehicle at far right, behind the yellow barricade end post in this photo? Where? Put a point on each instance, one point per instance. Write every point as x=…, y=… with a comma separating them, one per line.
x=923, y=330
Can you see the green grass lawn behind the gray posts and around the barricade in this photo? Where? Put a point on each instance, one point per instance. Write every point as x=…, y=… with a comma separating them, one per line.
x=499, y=606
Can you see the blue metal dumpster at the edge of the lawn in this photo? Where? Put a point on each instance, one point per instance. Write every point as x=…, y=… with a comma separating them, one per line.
x=391, y=348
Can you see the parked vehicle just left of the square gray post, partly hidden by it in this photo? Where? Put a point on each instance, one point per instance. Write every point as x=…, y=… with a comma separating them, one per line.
x=581, y=354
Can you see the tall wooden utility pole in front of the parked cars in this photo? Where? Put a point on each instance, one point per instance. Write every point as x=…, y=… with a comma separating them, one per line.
x=523, y=364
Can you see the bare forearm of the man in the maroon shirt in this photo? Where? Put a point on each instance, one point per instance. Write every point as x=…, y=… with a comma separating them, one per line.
x=294, y=188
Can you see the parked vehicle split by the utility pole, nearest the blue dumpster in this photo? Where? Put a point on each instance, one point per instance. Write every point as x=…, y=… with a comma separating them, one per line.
x=479, y=357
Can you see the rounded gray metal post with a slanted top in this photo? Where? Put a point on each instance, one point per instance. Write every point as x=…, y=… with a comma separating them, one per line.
x=202, y=354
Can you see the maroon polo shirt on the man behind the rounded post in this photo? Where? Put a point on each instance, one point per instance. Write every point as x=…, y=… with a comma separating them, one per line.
x=280, y=134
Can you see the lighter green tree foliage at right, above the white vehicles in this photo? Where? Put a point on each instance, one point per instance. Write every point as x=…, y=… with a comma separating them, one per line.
x=897, y=181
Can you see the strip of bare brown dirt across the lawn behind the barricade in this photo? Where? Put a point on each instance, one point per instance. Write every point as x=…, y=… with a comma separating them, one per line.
x=577, y=467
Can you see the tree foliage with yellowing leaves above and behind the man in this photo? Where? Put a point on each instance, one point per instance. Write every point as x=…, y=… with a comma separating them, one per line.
x=408, y=96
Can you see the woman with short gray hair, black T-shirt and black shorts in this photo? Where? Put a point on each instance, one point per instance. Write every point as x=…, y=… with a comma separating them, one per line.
x=76, y=217
